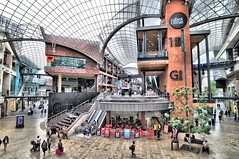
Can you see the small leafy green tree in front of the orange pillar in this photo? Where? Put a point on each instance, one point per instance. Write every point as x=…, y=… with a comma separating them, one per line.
x=180, y=107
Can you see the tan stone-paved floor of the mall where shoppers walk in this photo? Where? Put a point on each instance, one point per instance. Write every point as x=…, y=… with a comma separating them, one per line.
x=223, y=142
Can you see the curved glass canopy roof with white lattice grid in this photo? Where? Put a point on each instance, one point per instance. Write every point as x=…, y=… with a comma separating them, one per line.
x=28, y=21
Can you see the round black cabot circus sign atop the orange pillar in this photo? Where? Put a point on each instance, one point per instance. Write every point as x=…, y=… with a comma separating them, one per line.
x=178, y=20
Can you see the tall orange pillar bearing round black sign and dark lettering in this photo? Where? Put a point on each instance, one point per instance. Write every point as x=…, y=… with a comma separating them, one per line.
x=177, y=20
